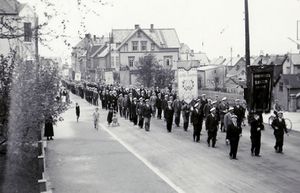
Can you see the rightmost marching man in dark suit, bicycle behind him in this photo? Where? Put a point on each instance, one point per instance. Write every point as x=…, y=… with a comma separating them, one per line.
x=279, y=127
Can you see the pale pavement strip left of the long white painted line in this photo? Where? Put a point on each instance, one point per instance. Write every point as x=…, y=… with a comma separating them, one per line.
x=81, y=159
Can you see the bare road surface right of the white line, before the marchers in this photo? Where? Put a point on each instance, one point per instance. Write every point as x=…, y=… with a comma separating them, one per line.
x=194, y=167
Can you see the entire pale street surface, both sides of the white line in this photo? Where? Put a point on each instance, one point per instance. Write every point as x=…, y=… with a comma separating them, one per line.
x=129, y=159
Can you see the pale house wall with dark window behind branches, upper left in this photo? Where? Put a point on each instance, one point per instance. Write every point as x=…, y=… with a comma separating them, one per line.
x=23, y=20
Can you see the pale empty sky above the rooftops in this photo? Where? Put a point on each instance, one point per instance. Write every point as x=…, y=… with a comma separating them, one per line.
x=212, y=26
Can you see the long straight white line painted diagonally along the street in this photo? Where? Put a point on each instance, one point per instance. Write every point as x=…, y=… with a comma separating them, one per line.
x=146, y=162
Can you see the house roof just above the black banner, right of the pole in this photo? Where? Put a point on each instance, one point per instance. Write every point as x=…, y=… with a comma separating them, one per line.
x=270, y=59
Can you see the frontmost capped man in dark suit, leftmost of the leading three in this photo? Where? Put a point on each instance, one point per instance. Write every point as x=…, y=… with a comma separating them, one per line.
x=233, y=134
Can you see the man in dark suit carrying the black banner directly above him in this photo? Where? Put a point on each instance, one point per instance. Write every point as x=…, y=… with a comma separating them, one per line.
x=255, y=131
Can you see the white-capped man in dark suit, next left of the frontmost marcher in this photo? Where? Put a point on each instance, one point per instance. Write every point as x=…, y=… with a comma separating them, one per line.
x=212, y=127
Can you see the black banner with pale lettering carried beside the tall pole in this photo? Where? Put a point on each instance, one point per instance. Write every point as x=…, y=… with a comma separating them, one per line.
x=261, y=88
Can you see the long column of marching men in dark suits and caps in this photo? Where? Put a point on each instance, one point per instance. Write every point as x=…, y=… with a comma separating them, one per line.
x=140, y=105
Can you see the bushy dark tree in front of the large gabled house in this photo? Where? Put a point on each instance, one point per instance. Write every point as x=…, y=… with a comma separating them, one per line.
x=150, y=73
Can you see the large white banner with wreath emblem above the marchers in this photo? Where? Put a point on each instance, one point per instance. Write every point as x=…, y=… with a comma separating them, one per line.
x=187, y=84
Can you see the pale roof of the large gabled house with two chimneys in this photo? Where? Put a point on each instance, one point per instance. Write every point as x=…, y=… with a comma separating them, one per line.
x=164, y=38
